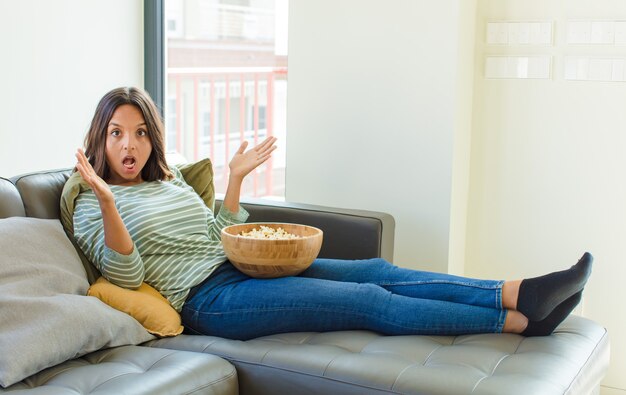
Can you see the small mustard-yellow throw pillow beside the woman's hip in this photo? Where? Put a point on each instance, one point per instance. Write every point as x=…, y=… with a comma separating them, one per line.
x=144, y=304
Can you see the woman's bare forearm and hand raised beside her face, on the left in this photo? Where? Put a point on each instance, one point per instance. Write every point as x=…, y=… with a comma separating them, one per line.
x=116, y=236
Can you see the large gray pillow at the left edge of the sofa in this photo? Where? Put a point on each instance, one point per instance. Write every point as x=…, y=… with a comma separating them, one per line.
x=45, y=317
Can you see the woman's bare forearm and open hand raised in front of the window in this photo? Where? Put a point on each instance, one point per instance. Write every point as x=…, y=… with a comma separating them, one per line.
x=241, y=165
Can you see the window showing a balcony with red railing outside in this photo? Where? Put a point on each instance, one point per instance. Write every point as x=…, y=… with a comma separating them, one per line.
x=225, y=80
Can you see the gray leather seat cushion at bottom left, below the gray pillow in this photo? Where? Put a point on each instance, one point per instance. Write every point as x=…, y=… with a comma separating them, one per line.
x=134, y=370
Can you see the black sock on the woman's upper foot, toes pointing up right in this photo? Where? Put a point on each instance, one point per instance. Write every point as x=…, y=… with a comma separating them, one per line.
x=538, y=296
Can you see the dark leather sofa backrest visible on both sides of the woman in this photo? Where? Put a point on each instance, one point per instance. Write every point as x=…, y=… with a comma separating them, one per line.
x=39, y=194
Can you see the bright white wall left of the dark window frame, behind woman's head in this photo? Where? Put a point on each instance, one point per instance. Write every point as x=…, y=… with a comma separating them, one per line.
x=58, y=59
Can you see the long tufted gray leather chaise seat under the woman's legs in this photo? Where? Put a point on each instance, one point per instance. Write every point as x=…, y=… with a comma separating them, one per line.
x=573, y=360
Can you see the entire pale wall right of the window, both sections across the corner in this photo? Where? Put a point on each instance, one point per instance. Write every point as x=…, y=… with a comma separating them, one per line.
x=380, y=98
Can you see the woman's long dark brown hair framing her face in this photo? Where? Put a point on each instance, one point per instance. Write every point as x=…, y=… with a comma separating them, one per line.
x=95, y=140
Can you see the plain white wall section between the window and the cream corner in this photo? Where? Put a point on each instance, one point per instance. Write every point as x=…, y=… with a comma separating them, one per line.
x=371, y=109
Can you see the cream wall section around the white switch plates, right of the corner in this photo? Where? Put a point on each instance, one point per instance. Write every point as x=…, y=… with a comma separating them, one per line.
x=548, y=170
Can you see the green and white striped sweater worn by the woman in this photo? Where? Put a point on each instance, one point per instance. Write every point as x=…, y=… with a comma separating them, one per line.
x=176, y=237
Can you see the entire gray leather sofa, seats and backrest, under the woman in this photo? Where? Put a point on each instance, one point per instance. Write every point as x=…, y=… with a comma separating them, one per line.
x=571, y=361
